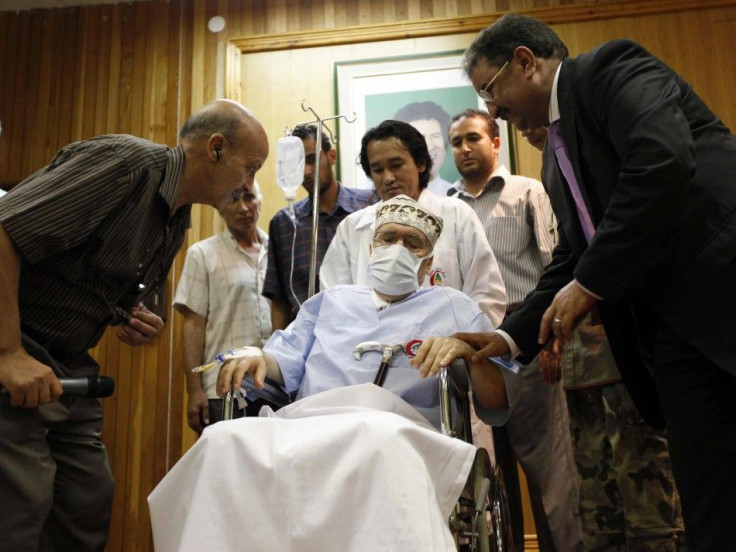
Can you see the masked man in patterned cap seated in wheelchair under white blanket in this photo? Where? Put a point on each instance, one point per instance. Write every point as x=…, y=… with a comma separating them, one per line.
x=351, y=465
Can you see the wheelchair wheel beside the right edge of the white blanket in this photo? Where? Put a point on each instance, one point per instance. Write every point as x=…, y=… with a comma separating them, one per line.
x=480, y=521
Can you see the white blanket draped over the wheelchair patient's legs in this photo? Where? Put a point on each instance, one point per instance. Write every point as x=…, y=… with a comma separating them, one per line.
x=351, y=469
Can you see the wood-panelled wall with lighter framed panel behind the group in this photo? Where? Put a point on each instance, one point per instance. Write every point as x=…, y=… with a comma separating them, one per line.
x=142, y=68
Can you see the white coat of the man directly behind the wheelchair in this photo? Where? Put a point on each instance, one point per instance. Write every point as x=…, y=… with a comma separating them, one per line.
x=462, y=257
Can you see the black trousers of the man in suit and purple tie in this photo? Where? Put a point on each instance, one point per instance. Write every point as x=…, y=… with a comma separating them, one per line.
x=699, y=404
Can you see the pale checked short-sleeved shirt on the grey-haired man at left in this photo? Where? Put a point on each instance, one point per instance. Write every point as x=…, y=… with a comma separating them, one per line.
x=222, y=283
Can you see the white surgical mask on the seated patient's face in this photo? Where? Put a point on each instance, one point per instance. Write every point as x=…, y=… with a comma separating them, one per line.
x=394, y=269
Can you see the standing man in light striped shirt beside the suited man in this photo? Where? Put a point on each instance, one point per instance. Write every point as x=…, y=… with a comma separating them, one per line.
x=521, y=228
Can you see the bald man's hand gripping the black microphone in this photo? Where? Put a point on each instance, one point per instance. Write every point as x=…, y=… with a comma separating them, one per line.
x=28, y=382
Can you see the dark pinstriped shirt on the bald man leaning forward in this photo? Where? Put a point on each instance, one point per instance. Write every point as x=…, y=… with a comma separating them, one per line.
x=96, y=232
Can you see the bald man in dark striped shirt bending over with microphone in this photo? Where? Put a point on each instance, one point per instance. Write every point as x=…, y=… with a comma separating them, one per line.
x=83, y=242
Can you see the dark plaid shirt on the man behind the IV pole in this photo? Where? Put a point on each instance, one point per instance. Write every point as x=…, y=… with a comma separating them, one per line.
x=290, y=253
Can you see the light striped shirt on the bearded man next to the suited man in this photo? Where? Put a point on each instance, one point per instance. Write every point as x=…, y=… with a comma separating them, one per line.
x=520, y=226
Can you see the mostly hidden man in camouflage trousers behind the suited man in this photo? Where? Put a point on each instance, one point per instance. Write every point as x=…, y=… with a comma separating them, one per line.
x=628, y=499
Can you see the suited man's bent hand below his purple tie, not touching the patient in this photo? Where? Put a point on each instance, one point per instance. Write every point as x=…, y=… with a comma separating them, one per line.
x=568, y=307
